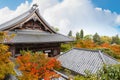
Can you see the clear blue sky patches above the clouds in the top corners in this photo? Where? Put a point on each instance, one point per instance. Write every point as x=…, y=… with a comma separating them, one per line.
x=113, y=5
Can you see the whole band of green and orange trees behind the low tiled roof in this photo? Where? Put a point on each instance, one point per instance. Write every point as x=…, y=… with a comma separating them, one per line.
x=109, y=45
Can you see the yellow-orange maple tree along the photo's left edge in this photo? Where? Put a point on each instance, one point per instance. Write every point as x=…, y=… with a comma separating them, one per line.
x=6, y=65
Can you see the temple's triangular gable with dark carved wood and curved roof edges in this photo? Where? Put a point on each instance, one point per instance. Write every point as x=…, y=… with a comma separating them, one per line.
x=28, y=20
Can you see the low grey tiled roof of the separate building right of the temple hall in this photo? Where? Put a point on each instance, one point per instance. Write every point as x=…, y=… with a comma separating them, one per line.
x=79, y=60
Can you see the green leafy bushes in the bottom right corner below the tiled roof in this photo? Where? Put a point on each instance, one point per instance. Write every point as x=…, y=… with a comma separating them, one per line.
x=109, y=72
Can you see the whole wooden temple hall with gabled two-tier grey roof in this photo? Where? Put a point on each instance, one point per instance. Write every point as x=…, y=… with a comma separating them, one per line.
x=33, y=33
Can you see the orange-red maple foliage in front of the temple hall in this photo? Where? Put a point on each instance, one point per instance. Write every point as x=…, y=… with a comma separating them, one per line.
x=37, y=66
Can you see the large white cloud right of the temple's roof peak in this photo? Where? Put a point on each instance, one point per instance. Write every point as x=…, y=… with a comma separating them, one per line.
x=81, y=14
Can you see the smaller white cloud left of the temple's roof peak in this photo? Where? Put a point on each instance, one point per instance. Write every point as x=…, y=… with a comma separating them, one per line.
x=6, y=14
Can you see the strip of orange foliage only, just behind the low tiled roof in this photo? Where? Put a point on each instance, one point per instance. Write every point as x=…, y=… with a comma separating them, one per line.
x=91, y=45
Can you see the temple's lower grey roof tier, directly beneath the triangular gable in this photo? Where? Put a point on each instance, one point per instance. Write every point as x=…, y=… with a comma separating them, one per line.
x=37, y=37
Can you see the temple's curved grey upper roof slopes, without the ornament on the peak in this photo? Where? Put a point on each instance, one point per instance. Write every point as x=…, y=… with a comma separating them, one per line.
x=24, y=17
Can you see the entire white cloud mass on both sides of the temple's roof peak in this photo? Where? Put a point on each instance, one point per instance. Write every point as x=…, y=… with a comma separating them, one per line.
x=72, y=15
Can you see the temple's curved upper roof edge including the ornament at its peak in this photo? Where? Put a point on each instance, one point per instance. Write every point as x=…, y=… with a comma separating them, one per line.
x=23, y=17
